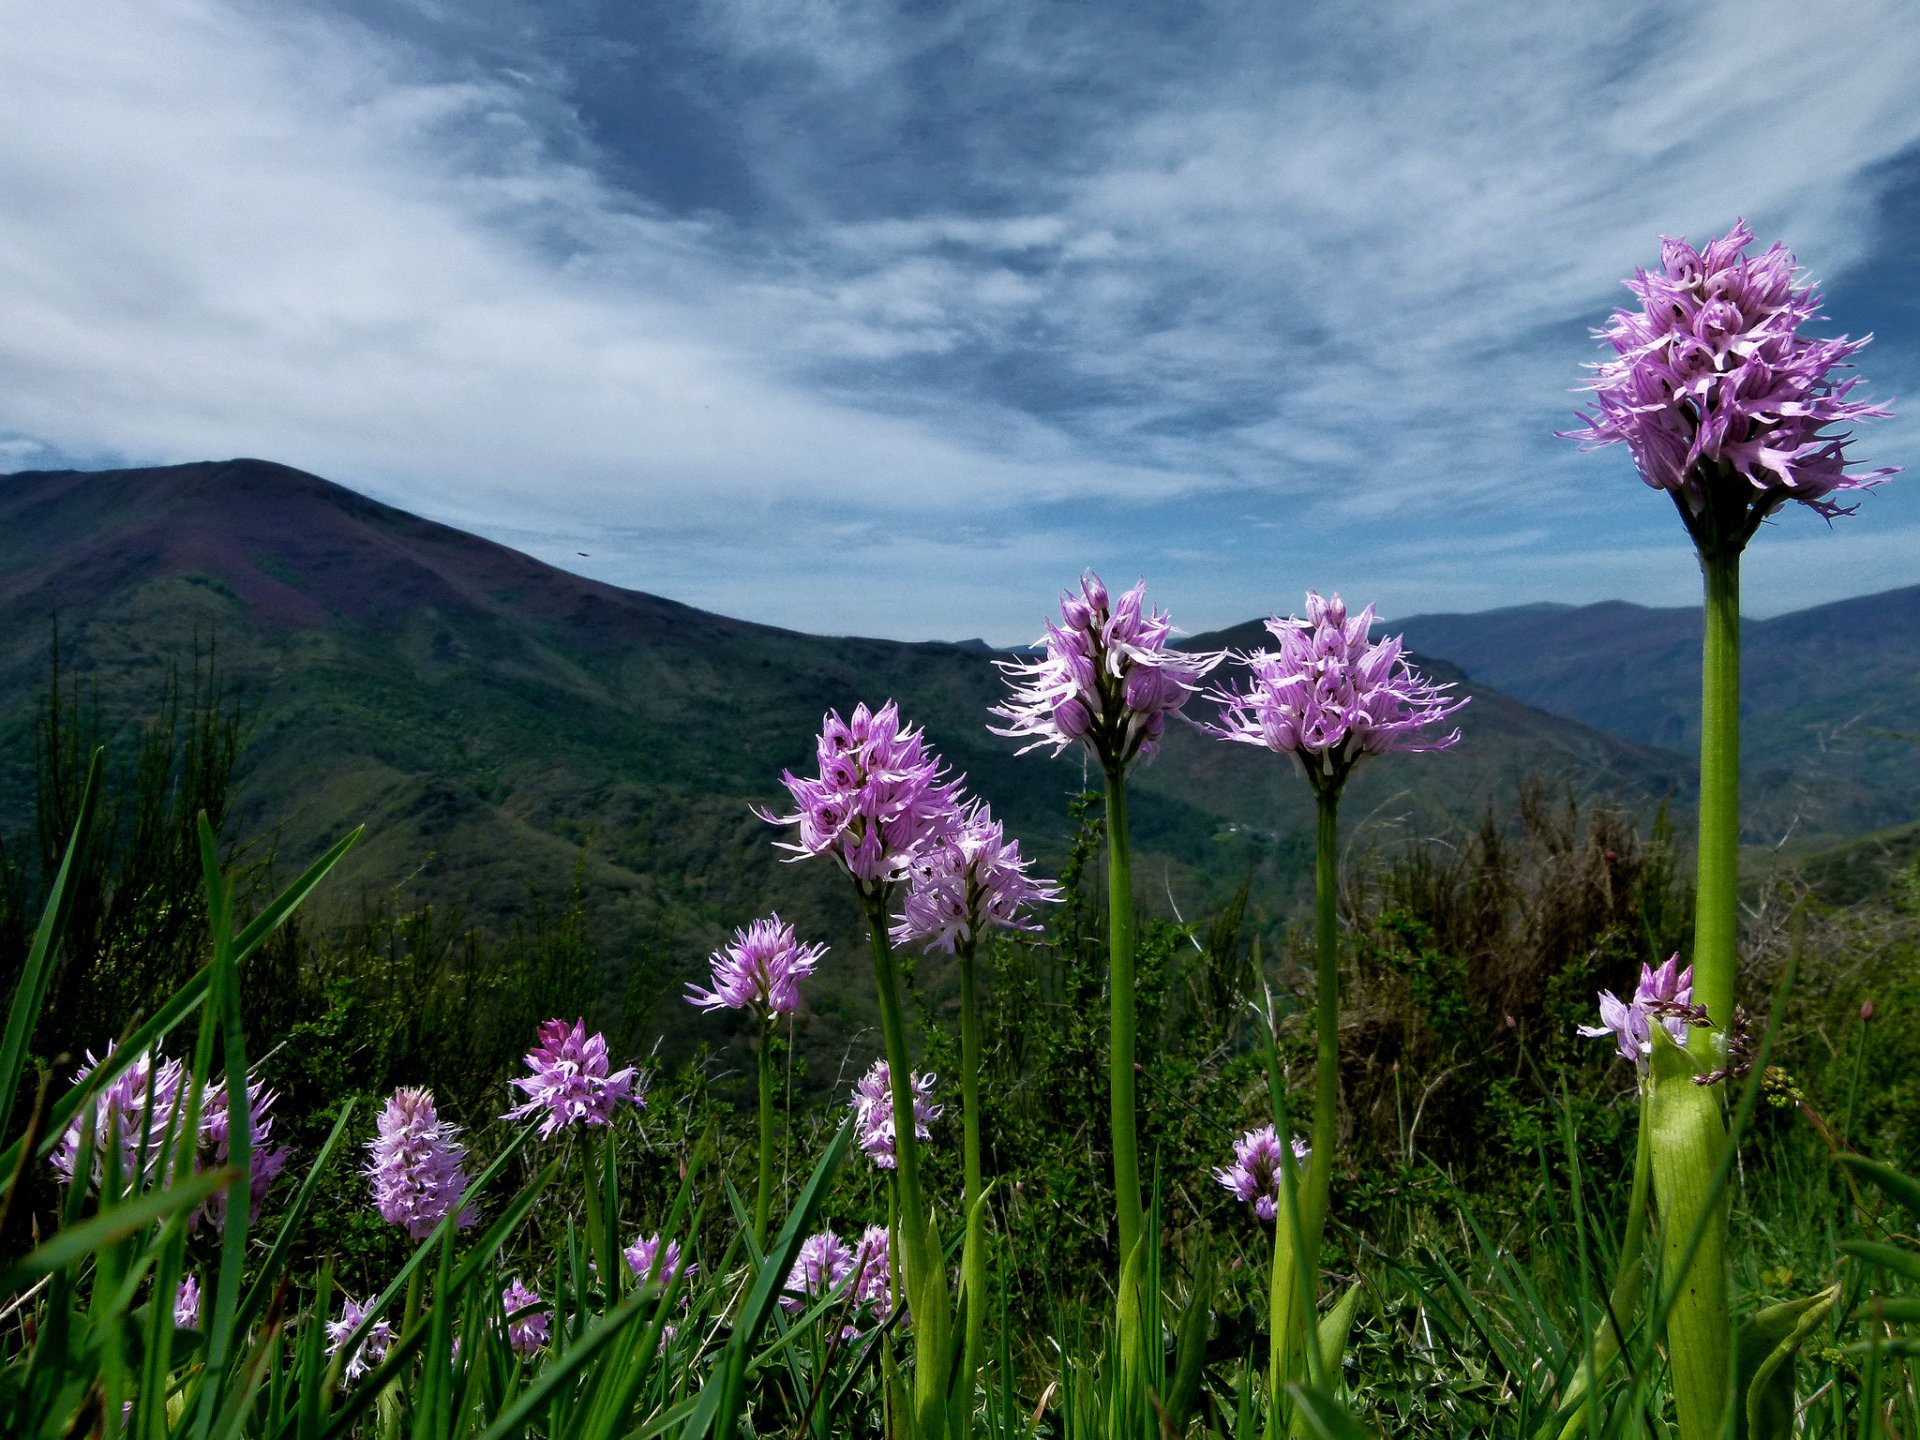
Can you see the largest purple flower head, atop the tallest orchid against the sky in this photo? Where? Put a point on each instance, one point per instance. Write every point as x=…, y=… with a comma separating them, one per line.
x=1719, y=396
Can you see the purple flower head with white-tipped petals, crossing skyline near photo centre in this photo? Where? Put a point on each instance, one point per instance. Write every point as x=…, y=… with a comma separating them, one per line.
x=1109, y=679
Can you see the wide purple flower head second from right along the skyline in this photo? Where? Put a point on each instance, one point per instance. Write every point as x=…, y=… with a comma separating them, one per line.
x=1330, y=698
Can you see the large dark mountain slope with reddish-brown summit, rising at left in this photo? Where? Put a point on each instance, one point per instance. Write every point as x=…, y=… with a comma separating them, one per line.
x=487, y=715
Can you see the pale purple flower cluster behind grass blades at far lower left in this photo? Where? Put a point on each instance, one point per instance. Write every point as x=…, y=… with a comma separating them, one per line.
x=147, y=1103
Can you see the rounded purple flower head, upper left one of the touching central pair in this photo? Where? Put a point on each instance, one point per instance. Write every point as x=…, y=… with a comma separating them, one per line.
x=878, y=800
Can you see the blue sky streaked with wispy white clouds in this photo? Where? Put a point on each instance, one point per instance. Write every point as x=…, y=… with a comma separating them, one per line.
x=888, y=320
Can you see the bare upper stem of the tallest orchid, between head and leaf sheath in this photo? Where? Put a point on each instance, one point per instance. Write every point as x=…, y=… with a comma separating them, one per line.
x=1717, y=878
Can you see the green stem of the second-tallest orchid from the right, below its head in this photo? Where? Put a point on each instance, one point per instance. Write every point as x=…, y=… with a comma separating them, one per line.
x=1297, y=1272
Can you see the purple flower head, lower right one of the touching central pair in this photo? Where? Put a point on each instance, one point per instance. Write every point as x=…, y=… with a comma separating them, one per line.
x=969, y=880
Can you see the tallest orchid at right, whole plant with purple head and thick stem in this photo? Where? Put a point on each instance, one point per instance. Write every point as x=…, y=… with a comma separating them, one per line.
x=1729, y=406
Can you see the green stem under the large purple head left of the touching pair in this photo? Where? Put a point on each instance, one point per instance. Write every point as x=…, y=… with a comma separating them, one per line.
x=926, y=1272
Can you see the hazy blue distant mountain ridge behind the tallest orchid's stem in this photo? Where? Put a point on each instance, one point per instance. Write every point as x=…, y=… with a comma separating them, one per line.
x=1829, y=696
